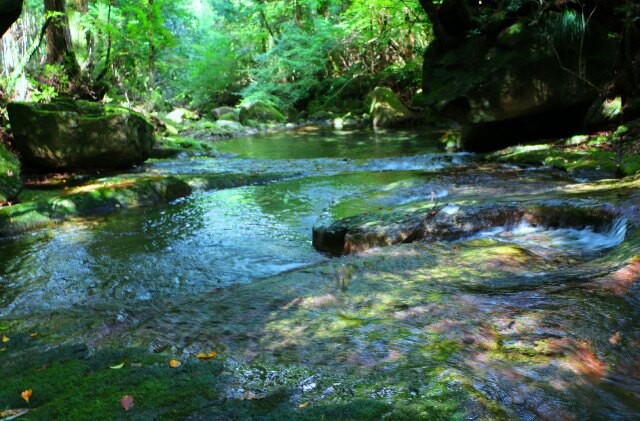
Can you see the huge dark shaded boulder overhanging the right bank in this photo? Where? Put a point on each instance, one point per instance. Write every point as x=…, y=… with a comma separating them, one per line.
x=518, y=82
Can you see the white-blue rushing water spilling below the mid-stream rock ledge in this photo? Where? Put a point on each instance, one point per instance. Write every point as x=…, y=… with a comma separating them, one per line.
x=585, y=240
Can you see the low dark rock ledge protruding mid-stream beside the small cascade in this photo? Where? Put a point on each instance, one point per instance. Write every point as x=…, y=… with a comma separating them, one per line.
x=433, y=223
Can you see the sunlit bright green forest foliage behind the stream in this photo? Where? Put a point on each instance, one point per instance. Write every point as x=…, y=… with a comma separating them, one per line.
x=301, y=54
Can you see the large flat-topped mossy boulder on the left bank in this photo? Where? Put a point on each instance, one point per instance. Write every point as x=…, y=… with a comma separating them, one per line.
x=80, y=135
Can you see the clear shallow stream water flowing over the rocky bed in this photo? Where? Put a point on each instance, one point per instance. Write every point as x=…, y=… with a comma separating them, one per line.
x=520, y=321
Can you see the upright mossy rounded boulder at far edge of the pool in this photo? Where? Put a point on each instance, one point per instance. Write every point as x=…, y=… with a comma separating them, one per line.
x=387, y=109
